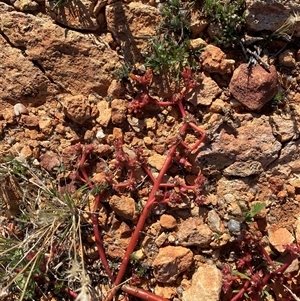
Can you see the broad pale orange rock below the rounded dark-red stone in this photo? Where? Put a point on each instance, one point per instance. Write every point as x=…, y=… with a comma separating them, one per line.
x=253, y=142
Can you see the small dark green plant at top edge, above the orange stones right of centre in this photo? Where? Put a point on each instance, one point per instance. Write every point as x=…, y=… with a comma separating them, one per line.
x=228, y=16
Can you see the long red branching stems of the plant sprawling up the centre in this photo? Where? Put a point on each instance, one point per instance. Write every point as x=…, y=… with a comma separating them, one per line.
x=154, y=196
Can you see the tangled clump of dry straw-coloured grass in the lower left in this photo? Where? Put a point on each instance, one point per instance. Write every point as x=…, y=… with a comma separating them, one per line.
x=49, y=235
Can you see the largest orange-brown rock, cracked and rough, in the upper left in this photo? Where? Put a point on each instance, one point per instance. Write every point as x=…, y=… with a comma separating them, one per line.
x=71, y=61
